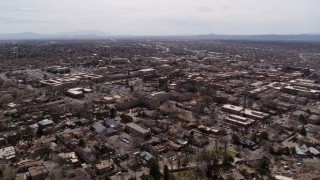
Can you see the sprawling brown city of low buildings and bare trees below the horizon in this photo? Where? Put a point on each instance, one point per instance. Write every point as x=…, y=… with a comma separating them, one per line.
x=153, y=109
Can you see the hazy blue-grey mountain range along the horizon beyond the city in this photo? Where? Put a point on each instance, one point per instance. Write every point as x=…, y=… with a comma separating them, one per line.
x=92, y=34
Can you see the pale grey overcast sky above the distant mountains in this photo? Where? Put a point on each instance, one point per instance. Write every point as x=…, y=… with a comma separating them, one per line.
x=161, y=17
